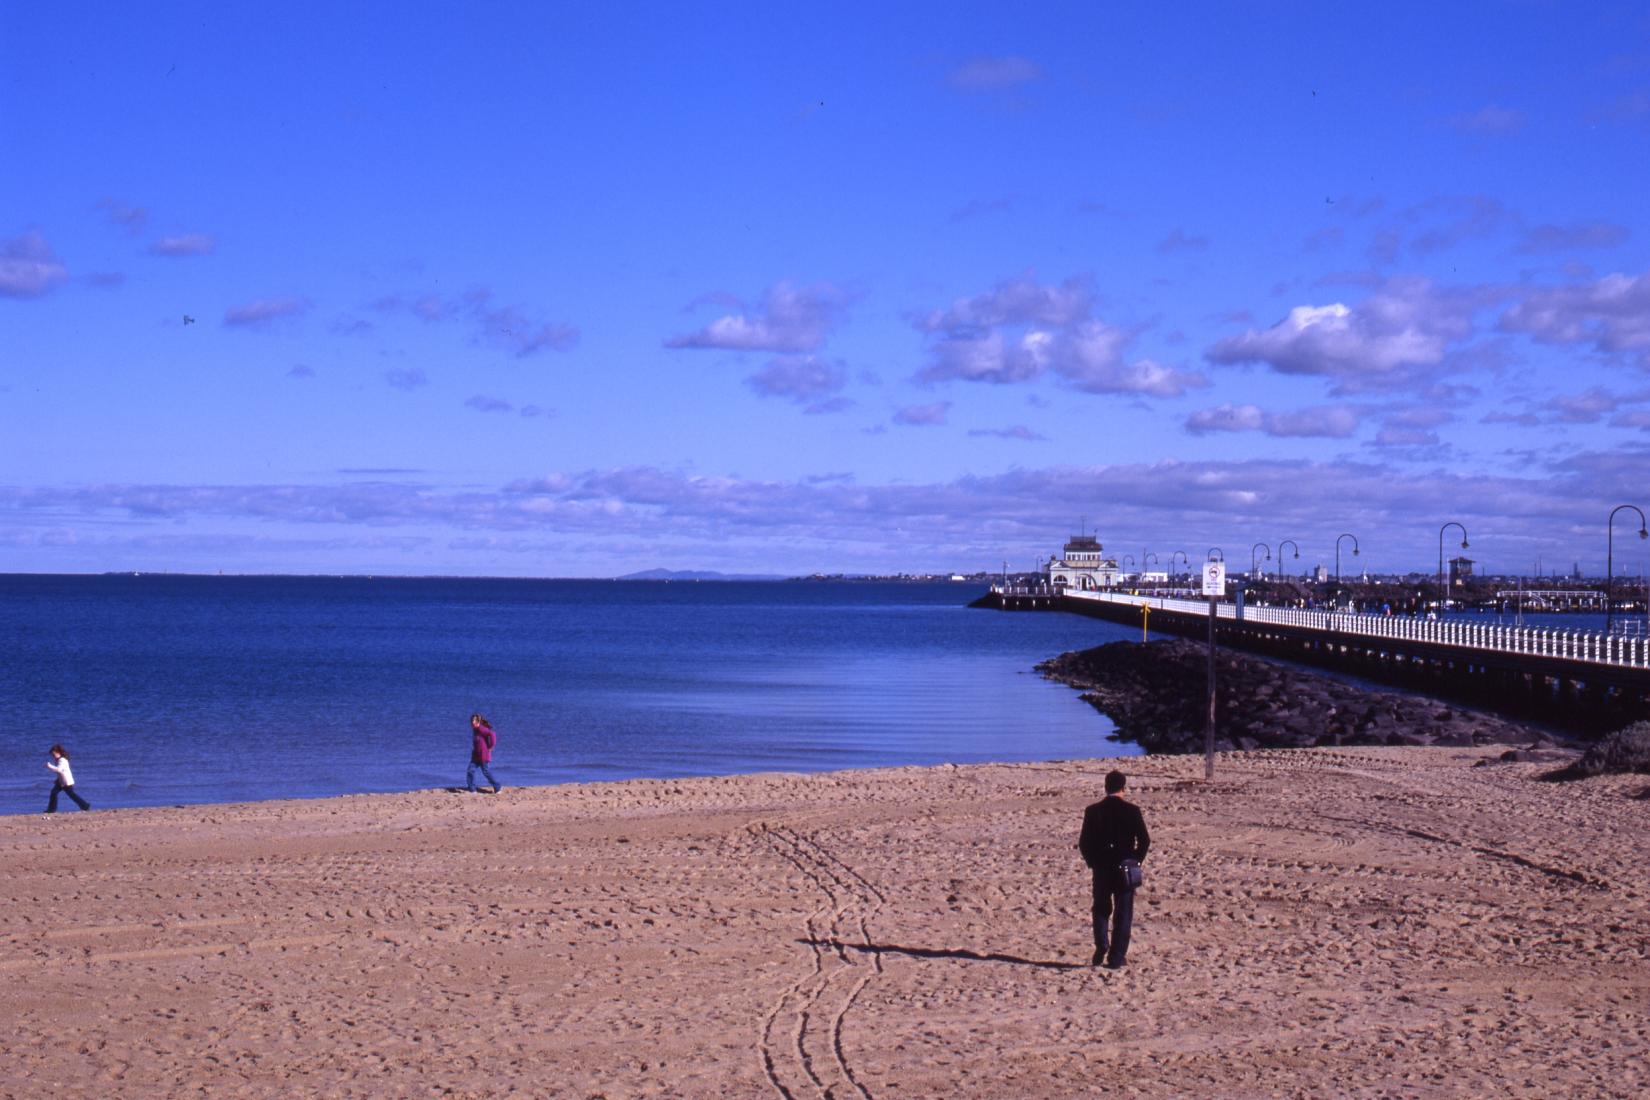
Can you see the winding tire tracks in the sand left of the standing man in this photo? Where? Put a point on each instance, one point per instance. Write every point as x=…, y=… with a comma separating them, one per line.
x=811, y=1061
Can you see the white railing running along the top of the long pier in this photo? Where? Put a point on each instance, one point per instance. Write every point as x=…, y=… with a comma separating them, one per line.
x=1577, y=646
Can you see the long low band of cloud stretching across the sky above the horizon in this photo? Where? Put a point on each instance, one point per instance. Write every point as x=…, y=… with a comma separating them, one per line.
x=969, y=520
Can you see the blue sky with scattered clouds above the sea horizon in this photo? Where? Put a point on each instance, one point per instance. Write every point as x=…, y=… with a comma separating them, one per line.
x=578, y=291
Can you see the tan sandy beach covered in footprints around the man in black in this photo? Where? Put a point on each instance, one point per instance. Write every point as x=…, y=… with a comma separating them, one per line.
x=1377, y=923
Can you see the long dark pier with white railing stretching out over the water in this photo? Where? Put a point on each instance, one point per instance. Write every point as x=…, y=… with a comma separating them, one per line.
x=1575, y=679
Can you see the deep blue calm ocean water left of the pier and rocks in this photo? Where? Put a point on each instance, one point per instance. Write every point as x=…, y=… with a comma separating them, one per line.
x=187, y=690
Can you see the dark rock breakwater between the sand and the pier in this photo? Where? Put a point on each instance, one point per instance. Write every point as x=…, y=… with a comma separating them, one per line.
x=1156, y=693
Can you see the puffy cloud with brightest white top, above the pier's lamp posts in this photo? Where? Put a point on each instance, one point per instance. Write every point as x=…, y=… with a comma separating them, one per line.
x=1374, y=344
